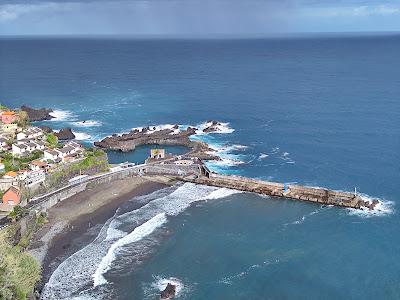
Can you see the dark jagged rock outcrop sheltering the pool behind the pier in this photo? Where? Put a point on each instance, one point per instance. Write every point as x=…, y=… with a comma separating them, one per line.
x=164, y=137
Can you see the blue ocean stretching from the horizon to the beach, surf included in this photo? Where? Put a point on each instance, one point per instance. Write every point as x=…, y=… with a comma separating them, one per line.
x=317, y=111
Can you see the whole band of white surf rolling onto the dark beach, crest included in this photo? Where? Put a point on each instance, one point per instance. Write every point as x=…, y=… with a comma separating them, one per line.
x=83, y=273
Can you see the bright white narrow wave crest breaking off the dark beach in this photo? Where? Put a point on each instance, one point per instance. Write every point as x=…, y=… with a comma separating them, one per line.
x=137, y=234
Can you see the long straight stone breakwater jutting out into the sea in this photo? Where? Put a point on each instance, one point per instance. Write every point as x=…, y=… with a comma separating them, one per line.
x=309, y=194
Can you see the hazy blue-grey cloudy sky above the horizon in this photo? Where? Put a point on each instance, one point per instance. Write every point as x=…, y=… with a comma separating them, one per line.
x=196, y=17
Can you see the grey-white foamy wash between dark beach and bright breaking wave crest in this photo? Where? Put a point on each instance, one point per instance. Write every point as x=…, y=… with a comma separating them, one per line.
x=76, y=274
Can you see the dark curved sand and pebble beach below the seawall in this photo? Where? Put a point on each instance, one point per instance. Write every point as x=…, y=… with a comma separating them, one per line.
x=75, y=222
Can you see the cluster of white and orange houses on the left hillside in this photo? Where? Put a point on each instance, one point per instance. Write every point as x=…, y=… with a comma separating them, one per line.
x=21, y=143
